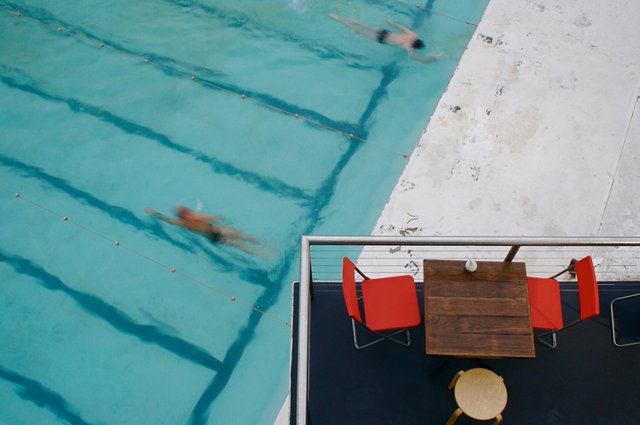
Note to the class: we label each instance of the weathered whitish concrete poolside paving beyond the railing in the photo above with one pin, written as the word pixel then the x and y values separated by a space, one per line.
pixel 546 140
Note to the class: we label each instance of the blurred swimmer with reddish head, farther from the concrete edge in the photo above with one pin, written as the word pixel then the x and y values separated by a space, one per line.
pixel 204 225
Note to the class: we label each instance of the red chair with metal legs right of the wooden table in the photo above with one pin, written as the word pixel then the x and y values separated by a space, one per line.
pixel 546 306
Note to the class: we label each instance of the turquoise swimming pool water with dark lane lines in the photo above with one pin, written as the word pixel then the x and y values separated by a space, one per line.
pixel 267 113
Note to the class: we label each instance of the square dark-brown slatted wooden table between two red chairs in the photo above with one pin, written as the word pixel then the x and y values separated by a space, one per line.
pixel 482 314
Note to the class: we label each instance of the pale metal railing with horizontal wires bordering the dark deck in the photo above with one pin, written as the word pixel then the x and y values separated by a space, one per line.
pixel 615 259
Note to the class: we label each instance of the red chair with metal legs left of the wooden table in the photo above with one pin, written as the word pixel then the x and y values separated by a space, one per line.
pixel 389 304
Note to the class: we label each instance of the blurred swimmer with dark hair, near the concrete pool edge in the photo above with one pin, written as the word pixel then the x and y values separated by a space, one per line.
pixel 406 39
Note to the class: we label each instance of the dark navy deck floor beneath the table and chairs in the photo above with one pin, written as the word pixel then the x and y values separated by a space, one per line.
pixel 586 380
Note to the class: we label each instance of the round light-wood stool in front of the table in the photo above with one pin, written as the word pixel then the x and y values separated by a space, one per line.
pixel 480 394
